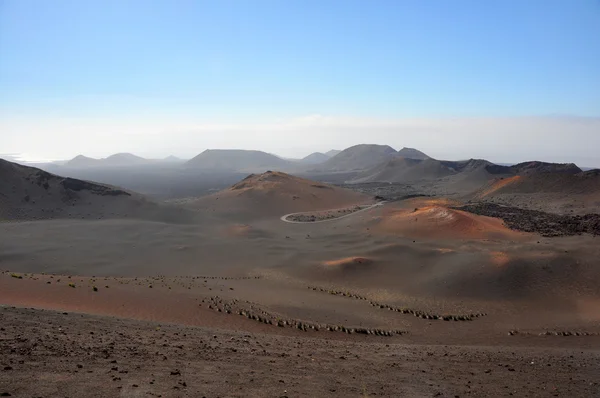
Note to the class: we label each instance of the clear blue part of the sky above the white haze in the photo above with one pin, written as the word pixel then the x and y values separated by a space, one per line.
pixel 129 62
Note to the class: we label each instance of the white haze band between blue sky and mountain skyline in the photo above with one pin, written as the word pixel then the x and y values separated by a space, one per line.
pixel 509 139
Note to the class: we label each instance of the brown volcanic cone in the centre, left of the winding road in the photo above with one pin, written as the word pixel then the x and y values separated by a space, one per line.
pixel 273 194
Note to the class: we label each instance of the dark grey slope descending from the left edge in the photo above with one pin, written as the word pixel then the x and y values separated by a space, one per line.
pixel 28 193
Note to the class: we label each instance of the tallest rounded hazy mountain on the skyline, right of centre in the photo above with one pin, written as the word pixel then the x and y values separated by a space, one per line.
pixel 358 157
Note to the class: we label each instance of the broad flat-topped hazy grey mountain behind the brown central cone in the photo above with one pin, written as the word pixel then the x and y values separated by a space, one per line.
pixel 237 160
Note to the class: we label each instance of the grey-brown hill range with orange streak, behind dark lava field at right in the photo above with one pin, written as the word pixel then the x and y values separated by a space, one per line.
pixel 550 187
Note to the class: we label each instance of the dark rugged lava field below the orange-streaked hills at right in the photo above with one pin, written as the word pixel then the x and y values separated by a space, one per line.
pixel 546 224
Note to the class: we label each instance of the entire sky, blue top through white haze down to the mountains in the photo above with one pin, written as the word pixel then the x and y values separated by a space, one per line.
pixel 503 80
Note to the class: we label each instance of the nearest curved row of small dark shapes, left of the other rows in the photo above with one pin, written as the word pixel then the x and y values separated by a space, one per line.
pixel 231 307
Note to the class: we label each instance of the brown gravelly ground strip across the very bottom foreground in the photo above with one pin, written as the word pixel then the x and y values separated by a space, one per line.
pixel 48 354
